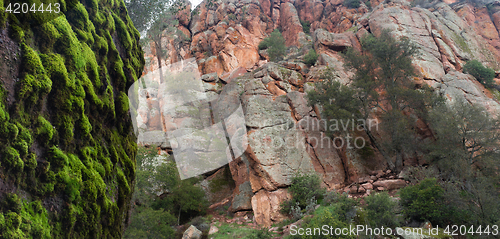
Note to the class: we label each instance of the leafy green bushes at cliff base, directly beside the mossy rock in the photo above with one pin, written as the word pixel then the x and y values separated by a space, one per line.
pixel 160 193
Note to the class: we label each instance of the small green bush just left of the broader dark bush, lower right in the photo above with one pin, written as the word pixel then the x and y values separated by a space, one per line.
pixel 381 210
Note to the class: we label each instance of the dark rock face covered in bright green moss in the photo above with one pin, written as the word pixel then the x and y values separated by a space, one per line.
pixel 67 154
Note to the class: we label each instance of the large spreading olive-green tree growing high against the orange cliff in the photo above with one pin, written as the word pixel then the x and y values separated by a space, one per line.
pixel 383 66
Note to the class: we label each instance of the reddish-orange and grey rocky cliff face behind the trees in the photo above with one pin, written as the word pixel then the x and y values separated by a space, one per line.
pixel 223 37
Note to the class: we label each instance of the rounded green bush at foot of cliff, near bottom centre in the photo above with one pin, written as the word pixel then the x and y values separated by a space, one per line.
pixel 303 188
